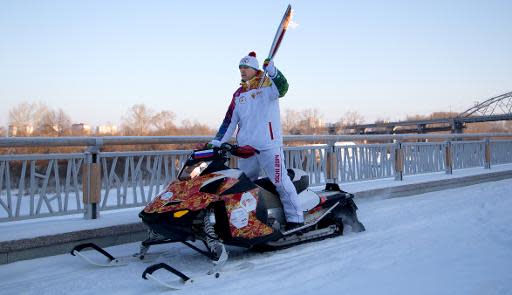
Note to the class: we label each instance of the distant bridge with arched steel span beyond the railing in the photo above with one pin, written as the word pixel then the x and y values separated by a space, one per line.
pixel 498 108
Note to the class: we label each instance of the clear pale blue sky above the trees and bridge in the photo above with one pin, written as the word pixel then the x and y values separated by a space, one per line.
pixel 382 59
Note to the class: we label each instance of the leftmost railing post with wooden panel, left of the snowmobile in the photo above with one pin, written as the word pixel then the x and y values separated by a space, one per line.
pixel 91 183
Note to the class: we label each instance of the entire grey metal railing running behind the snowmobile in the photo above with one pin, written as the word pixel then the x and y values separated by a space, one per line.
pixel 39 185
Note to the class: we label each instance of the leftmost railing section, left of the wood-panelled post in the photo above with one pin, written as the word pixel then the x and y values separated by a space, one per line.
pixel 41 185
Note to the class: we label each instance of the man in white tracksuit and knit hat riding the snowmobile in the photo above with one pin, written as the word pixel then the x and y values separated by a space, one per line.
pixel 255 110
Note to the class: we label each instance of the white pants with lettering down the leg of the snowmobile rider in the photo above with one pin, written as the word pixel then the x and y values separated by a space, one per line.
pixel 272 162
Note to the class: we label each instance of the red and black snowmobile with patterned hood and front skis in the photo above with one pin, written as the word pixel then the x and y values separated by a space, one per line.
pixel 219 206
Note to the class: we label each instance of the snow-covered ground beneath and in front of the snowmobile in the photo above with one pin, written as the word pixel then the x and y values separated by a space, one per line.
pixel 455 241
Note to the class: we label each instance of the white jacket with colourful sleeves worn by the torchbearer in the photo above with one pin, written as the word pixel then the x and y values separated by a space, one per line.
pixel 256 113
